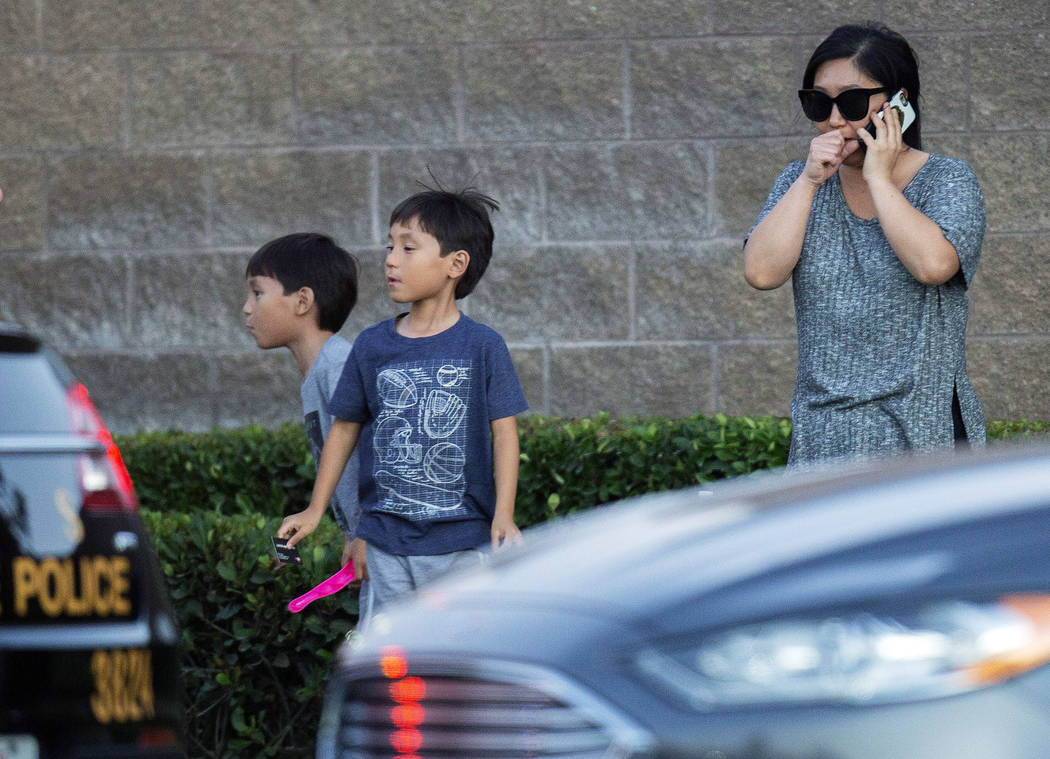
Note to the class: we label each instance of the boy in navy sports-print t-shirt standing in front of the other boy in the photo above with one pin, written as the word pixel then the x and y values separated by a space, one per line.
pixel 432 397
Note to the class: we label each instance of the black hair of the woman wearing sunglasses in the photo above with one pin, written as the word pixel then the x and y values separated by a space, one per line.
pixel 881 54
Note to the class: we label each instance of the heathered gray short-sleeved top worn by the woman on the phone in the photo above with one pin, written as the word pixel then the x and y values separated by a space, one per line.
pixel 880 354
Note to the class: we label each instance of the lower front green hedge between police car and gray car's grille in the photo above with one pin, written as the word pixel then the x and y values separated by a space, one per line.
pixel 255 673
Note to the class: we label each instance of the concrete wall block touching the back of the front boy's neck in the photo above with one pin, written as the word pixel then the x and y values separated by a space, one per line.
pixel 557 293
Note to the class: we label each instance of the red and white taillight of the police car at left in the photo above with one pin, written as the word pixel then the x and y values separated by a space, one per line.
pixel 104 479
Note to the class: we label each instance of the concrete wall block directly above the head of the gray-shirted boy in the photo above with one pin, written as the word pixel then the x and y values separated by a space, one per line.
pixel 261 196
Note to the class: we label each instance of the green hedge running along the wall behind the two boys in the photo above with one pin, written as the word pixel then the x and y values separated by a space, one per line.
pixel 566 465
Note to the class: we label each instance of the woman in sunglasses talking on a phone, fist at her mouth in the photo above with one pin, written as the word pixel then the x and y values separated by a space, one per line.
pixel 881 242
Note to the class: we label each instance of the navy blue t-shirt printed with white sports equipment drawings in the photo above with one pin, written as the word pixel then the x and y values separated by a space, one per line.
pixel 426 405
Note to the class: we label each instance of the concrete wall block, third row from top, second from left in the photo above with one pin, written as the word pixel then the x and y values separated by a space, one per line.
pixel 123 201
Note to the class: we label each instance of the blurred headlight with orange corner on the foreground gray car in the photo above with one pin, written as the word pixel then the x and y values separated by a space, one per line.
pixel 859 658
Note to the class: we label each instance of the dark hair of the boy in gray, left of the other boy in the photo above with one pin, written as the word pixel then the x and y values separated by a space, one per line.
pixel 310 260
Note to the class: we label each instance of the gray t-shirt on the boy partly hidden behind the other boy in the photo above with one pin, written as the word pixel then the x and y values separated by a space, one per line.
pixel 317 392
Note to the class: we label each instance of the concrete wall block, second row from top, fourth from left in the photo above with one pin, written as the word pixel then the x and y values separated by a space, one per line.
pixel 544 93
